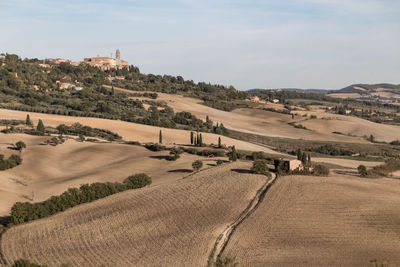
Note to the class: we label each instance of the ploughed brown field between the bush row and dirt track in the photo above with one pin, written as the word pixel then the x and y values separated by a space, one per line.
pixel 174 224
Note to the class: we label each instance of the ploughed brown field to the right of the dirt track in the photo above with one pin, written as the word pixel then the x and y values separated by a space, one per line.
pixel 322 221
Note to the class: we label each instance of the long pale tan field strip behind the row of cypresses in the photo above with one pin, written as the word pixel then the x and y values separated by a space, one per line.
pixel 132 131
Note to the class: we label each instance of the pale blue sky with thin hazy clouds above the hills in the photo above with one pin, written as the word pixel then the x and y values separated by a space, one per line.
pixel 323 44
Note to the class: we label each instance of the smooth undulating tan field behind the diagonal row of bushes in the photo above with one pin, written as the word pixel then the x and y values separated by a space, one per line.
pixel 47 170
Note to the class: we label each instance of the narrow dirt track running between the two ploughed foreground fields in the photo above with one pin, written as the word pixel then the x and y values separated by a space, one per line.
pixel 225 236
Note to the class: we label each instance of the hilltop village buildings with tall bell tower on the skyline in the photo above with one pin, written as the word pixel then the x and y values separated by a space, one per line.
pixel 104 63
